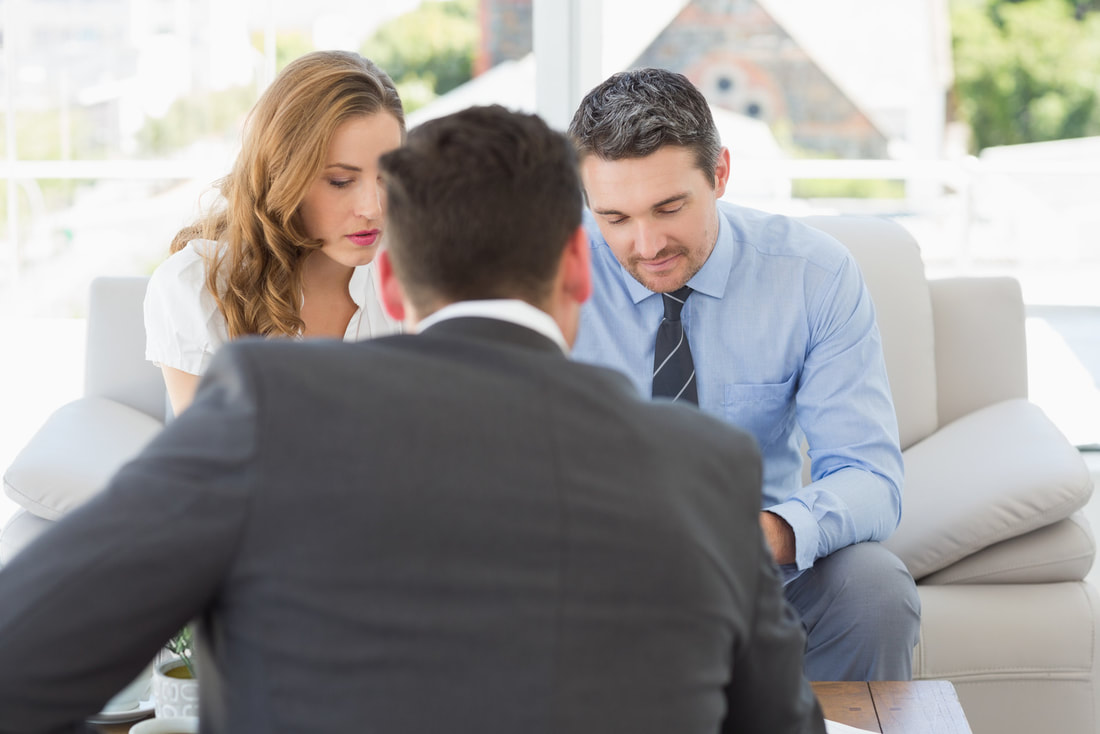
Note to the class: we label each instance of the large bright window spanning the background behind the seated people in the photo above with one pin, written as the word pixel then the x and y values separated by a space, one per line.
pixel 120 115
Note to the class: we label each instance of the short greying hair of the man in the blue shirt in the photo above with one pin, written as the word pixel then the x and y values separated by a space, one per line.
pixel 637 113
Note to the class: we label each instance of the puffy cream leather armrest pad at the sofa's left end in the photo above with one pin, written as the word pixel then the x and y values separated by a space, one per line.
pixel 74 455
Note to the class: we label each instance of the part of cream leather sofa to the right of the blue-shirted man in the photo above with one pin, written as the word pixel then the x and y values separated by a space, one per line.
pixel 991 528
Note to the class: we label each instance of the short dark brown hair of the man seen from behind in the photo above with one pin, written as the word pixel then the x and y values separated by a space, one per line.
pixel 480 205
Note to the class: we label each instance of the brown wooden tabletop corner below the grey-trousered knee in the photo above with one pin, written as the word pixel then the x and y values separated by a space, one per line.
pixel 921 707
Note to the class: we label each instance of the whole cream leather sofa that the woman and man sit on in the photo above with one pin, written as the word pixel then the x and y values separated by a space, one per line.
pixel 989 529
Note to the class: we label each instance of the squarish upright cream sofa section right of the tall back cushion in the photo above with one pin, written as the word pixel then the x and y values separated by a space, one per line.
pixel 982 348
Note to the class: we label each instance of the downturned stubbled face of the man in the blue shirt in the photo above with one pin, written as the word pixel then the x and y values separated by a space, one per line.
pixel 658 213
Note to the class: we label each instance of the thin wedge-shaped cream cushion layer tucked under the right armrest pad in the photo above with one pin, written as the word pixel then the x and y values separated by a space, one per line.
pixel 1061 552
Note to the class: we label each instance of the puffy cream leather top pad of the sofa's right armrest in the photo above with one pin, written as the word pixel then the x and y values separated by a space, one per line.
pixel 999 473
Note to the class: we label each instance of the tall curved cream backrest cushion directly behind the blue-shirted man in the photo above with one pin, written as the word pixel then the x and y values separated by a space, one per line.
pixel 890 261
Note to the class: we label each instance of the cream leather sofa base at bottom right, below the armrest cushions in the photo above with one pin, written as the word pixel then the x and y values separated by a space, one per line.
pixel 1024 658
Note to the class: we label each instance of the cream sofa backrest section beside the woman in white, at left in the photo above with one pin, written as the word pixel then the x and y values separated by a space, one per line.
pixel 115 365
